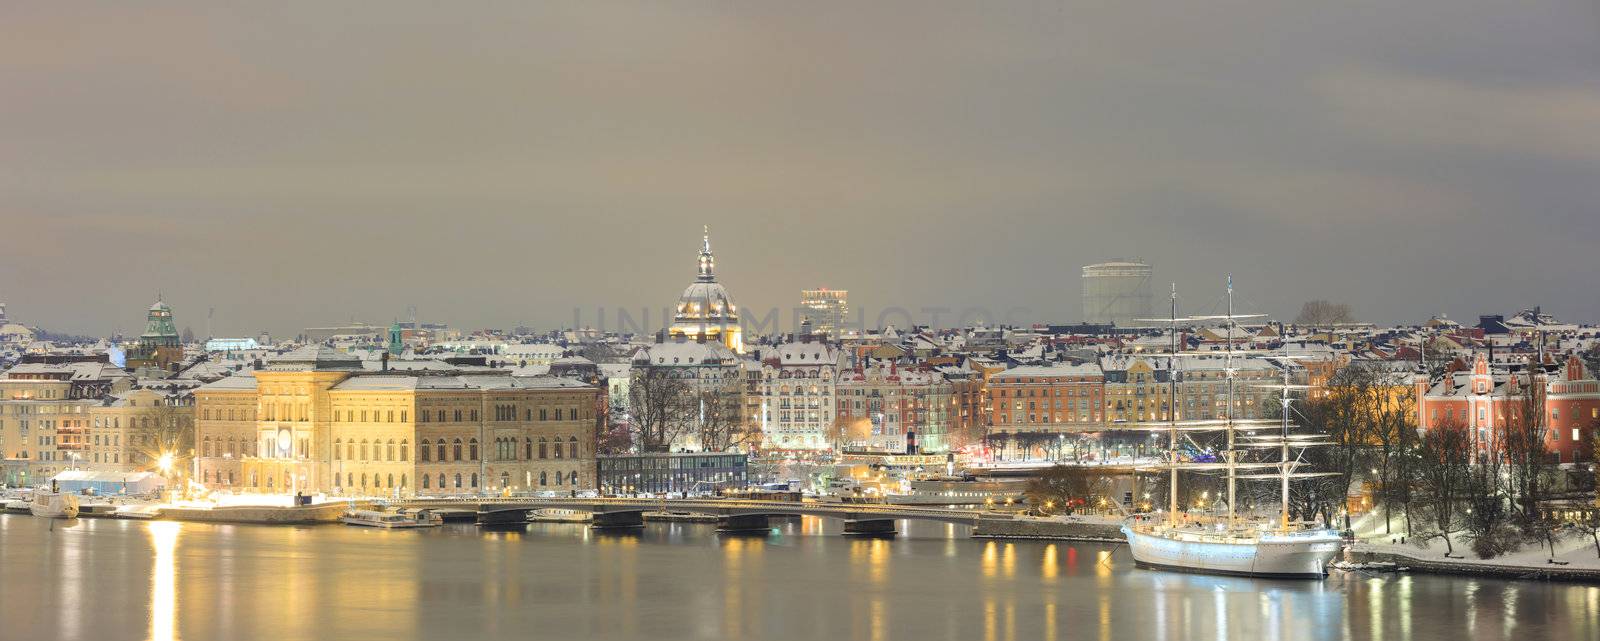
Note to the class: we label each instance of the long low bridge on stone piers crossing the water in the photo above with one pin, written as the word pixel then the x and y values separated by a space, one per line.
pixel 735 516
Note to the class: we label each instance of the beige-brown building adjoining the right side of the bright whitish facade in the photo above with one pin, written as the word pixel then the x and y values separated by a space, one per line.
pixel 890 410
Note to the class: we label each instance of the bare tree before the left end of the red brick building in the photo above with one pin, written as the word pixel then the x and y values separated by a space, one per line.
pixel 1444 472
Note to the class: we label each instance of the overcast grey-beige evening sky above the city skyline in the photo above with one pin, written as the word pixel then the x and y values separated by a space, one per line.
pixel 300 164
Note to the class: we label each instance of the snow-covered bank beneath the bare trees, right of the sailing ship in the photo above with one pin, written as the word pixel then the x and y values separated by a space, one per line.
pixel 1575 551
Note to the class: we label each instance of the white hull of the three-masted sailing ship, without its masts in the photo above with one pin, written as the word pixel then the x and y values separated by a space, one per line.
pixel 1302 555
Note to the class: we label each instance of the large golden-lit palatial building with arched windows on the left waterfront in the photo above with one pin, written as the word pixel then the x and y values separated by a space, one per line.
pixel 319 421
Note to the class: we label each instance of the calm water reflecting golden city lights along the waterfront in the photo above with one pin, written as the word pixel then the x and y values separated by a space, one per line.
pixel 98 579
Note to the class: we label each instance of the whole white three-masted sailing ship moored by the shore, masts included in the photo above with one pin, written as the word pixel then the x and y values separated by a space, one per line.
pixel 1241 546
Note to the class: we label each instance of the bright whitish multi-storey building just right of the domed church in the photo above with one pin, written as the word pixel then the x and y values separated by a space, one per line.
pixel 798 396
